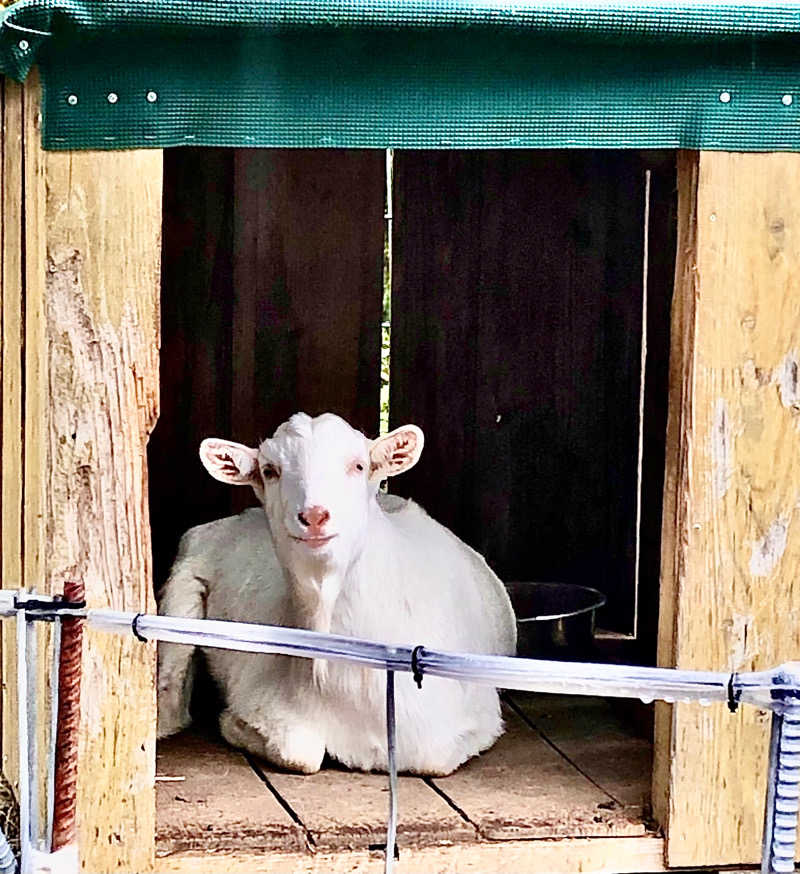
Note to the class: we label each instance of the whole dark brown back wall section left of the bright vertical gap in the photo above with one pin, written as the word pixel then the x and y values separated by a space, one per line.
pixel 272 288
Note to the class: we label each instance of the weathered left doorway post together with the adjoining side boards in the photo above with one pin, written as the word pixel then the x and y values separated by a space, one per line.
pixel 80 381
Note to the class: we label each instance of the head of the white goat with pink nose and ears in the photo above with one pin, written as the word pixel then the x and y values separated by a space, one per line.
pixel 317 479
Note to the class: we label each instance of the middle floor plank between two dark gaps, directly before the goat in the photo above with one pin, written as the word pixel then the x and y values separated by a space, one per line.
pixel 347 809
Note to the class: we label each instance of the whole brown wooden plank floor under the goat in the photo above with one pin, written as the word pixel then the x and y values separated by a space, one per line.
pixel 566 767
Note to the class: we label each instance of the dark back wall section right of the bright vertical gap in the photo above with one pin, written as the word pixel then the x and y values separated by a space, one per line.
pixel 516 330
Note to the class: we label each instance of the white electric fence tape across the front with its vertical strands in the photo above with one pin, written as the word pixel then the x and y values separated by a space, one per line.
pixel 777 690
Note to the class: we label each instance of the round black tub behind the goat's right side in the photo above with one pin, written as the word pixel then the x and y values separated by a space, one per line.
pixel 555 620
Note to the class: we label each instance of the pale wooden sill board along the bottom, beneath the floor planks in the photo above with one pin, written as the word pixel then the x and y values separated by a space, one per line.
pixel 598 855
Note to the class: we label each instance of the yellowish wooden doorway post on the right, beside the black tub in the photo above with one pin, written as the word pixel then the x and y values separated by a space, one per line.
pixel 730 587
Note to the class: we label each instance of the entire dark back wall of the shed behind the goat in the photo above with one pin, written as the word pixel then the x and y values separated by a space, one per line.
pixel 517 312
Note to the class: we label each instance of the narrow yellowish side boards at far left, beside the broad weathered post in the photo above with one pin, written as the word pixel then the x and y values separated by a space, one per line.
pixel 24 368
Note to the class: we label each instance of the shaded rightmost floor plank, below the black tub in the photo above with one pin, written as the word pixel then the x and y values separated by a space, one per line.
pixel 598 741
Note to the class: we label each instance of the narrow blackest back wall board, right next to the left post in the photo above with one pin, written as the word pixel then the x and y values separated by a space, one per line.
pixel 195 372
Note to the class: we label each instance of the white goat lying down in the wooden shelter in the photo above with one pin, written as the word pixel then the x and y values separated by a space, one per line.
pixel 332 554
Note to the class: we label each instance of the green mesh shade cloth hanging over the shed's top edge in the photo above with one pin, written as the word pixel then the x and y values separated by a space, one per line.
pixel 410 73
